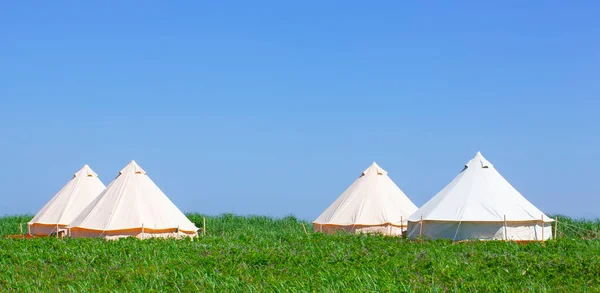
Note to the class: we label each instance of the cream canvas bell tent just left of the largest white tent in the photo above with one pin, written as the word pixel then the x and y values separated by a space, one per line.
pixel 372 204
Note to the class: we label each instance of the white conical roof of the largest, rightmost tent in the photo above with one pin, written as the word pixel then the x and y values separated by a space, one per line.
pixel 479 194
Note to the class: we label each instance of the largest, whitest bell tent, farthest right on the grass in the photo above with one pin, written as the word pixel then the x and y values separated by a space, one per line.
pixel 480 204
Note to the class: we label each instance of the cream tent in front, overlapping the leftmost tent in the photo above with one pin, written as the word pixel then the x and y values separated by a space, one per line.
pixel 132 205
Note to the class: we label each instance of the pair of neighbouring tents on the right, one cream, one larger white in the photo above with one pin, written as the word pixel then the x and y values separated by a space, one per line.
pixel 478 204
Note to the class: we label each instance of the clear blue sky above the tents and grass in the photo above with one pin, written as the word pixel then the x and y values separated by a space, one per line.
pixel 276 107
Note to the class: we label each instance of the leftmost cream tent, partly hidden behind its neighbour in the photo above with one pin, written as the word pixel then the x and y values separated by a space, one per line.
pixel 67 203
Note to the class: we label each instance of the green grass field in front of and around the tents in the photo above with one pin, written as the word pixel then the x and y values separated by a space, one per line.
pixel 258 254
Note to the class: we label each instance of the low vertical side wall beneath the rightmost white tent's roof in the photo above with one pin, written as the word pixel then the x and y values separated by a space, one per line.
pixel 515 231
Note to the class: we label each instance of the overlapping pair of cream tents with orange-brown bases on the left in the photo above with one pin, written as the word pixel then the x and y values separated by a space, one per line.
pixel 131 205
